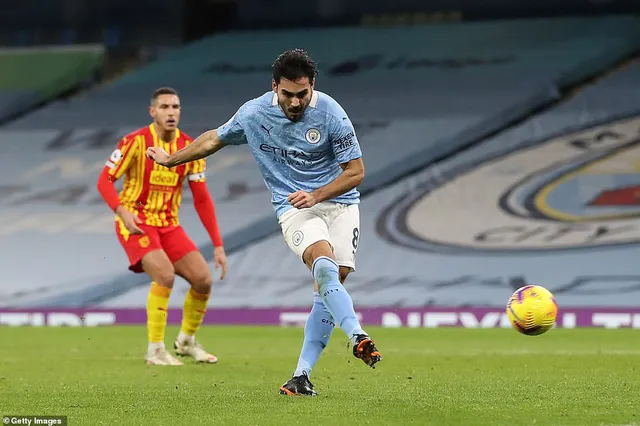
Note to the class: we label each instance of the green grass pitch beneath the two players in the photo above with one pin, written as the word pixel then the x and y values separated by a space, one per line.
pixel 427 377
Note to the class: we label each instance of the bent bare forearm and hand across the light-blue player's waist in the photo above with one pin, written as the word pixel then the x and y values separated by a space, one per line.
pixel 351 176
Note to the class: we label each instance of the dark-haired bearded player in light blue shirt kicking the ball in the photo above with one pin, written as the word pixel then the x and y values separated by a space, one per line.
pixel 310 159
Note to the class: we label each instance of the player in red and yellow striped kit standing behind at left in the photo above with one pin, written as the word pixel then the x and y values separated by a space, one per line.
pixel 149 230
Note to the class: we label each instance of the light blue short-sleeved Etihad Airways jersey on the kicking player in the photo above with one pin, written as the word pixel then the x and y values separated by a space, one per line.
pixel 303 155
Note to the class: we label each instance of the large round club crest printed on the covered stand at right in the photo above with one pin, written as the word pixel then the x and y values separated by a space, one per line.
pixel 576 191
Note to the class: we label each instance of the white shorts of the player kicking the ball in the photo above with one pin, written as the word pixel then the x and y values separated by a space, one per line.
pixel 339 224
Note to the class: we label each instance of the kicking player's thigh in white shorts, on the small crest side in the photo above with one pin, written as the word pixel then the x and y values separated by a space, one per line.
pixel 302 229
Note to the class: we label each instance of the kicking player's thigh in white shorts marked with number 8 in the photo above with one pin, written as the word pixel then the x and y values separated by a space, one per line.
pixel 344 234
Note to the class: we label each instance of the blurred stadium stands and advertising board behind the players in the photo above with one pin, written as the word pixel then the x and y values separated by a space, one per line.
pixel 500 139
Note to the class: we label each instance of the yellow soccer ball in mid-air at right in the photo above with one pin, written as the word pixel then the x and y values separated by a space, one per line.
pixel 532 310
